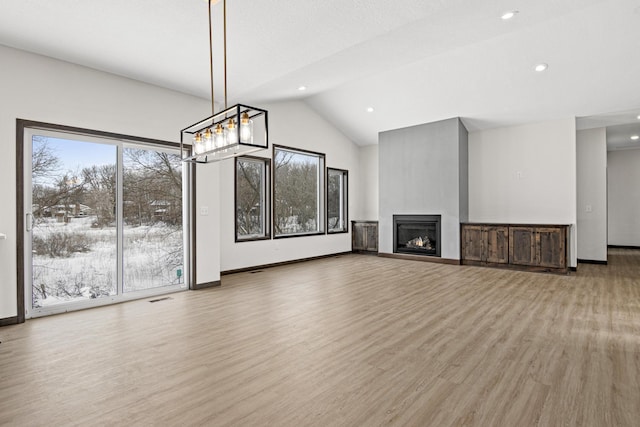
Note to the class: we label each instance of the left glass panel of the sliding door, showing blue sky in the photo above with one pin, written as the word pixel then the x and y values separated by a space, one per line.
pixel 74 227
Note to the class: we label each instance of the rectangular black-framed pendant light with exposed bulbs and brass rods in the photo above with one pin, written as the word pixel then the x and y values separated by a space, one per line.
pixel 232 132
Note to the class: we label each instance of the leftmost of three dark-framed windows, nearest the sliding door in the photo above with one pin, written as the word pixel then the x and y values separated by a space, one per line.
pixel 252 210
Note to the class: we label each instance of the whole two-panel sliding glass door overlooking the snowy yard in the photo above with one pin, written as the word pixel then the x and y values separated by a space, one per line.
pixel 104 221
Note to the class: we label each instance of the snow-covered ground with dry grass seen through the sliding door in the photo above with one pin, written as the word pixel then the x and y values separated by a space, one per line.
pixel 74 261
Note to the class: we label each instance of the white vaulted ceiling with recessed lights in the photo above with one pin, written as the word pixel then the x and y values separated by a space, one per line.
pixel 413 61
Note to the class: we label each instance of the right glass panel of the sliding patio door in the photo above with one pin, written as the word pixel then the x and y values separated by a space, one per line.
pixel 153 250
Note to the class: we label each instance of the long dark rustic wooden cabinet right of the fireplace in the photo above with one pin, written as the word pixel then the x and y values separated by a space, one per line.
pixel 525 246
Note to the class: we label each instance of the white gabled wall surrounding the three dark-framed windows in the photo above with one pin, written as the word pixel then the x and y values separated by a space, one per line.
pixel 292 124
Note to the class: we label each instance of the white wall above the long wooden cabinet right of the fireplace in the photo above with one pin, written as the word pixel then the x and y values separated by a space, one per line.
pixel 525 174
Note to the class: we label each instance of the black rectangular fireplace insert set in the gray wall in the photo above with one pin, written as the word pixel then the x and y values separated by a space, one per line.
pixel 416 234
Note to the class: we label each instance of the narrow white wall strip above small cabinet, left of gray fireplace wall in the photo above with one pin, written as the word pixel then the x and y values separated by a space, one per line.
pixel 367 197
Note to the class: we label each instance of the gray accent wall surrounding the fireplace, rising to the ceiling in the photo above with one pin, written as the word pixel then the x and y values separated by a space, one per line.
pixel 423 170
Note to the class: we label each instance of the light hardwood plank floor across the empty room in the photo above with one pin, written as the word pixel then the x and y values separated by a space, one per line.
pixel 353 340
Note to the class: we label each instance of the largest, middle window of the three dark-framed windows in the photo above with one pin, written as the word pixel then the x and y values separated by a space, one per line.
pixel 298 192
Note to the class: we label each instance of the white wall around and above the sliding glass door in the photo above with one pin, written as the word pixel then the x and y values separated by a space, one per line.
pixel 38 88
